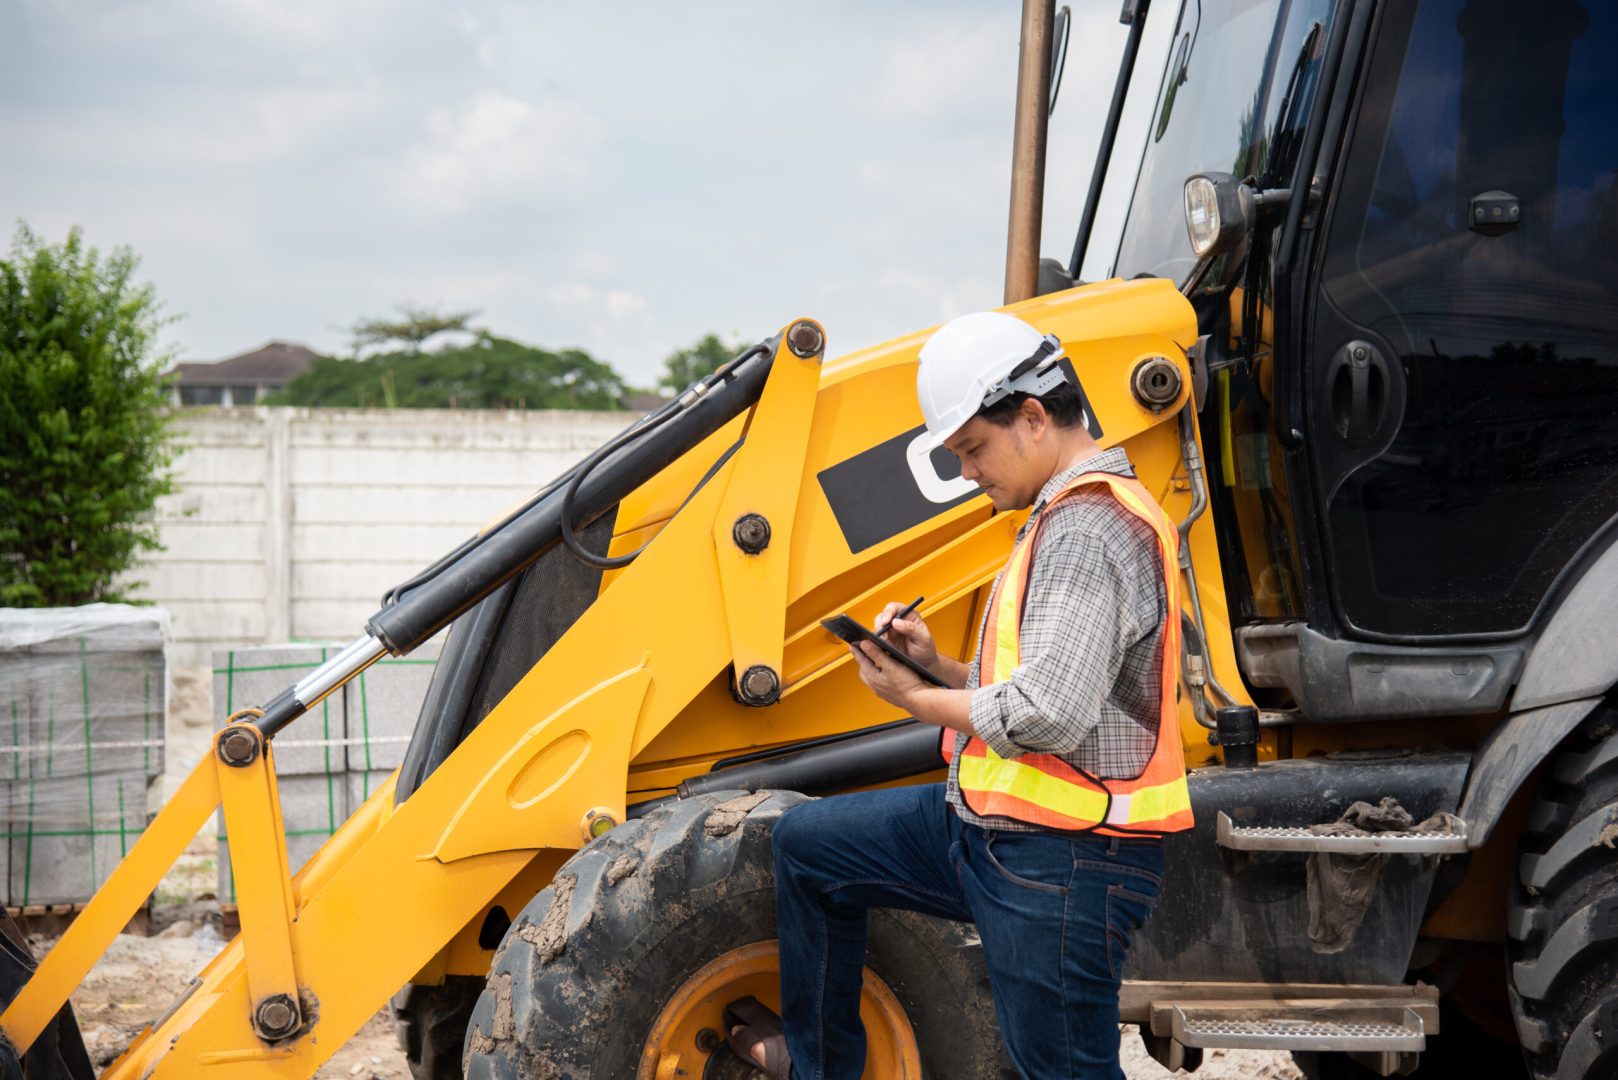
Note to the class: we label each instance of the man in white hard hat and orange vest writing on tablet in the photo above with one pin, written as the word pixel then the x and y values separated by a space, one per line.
pixel 1064 749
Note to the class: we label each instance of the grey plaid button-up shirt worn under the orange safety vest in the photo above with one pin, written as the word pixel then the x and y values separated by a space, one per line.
pixel 1088 689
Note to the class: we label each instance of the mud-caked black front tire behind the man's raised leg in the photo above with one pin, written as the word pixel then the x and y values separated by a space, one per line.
pixel 590 966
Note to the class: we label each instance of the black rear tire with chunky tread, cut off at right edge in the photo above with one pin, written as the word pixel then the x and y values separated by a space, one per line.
pixel 1564 912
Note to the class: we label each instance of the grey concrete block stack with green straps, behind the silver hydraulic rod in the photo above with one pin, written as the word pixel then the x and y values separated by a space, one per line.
pixel 331 760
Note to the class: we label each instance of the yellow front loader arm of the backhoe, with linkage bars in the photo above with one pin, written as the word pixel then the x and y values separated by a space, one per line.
pixel 661 658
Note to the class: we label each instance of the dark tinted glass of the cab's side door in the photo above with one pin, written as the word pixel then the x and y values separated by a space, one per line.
pixel 1506 462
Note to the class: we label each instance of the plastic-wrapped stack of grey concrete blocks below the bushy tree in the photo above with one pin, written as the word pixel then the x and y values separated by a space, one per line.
pixel 83 694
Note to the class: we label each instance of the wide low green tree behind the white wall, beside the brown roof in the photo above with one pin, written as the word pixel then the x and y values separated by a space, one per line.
pixel 489 373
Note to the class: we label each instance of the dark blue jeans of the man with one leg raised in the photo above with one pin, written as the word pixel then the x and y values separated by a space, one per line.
pixel 1056 916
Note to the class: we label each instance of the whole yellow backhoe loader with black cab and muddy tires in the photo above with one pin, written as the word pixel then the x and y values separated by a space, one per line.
pixel 1360 339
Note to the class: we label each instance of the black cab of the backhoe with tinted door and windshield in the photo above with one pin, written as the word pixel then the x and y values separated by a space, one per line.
pixel 1413 373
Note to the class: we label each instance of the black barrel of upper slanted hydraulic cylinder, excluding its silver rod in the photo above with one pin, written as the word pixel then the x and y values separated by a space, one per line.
pixel 515 545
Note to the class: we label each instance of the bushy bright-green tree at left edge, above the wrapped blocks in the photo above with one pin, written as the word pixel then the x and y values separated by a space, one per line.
pixel 85 448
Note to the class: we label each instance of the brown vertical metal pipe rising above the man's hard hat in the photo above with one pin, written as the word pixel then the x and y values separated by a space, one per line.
pixel 1028 151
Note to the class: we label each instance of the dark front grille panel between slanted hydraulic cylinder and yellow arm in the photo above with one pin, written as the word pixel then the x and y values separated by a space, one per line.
pixel 551 597
